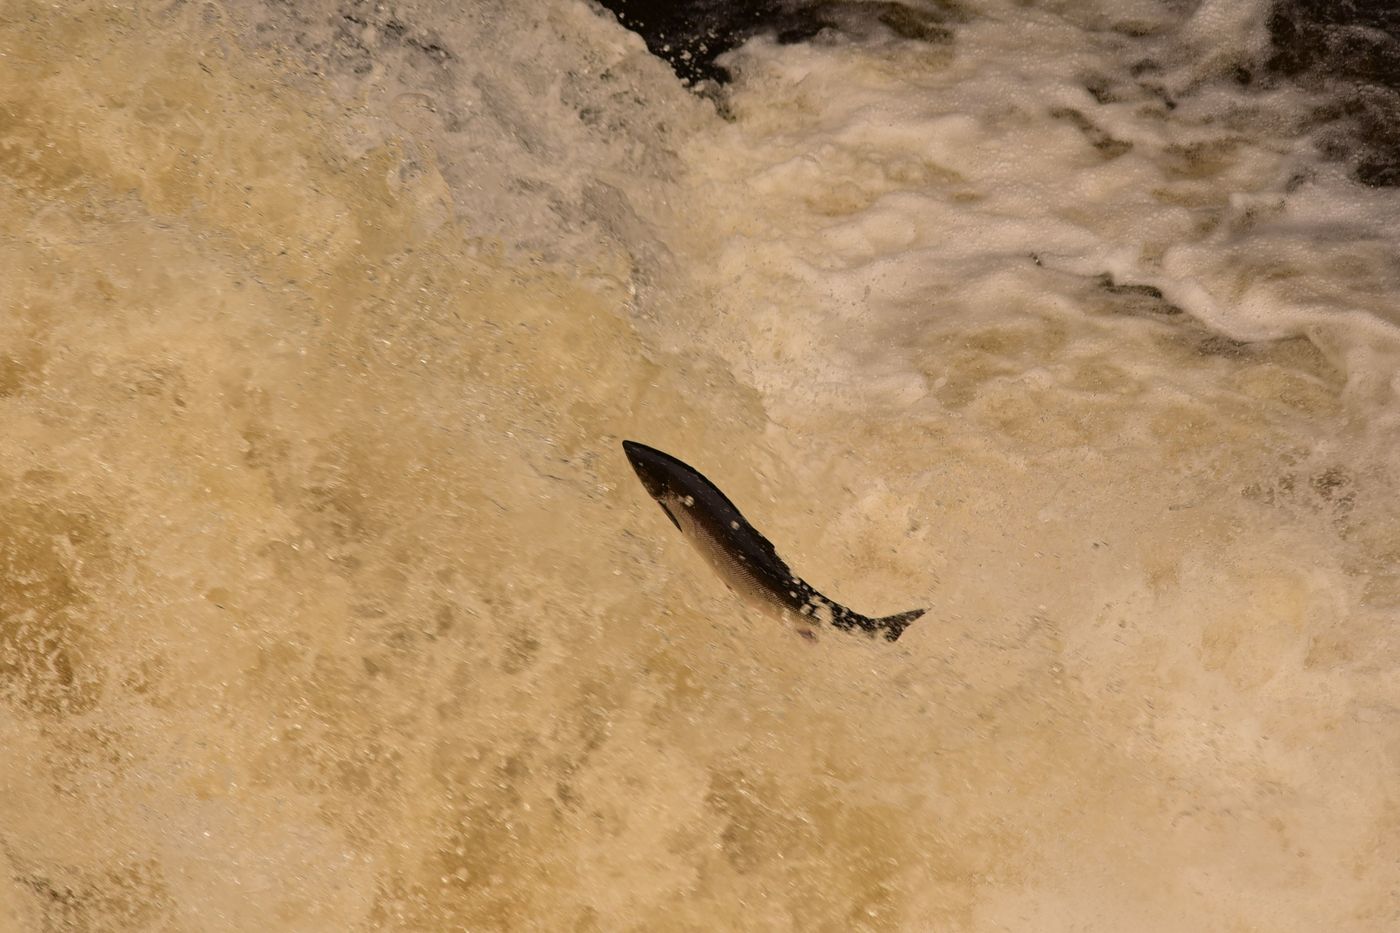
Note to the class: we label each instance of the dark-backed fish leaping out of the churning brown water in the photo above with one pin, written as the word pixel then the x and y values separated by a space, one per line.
pixel 743 557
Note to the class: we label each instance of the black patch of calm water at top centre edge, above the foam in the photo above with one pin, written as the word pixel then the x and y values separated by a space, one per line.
pixel 692 34
